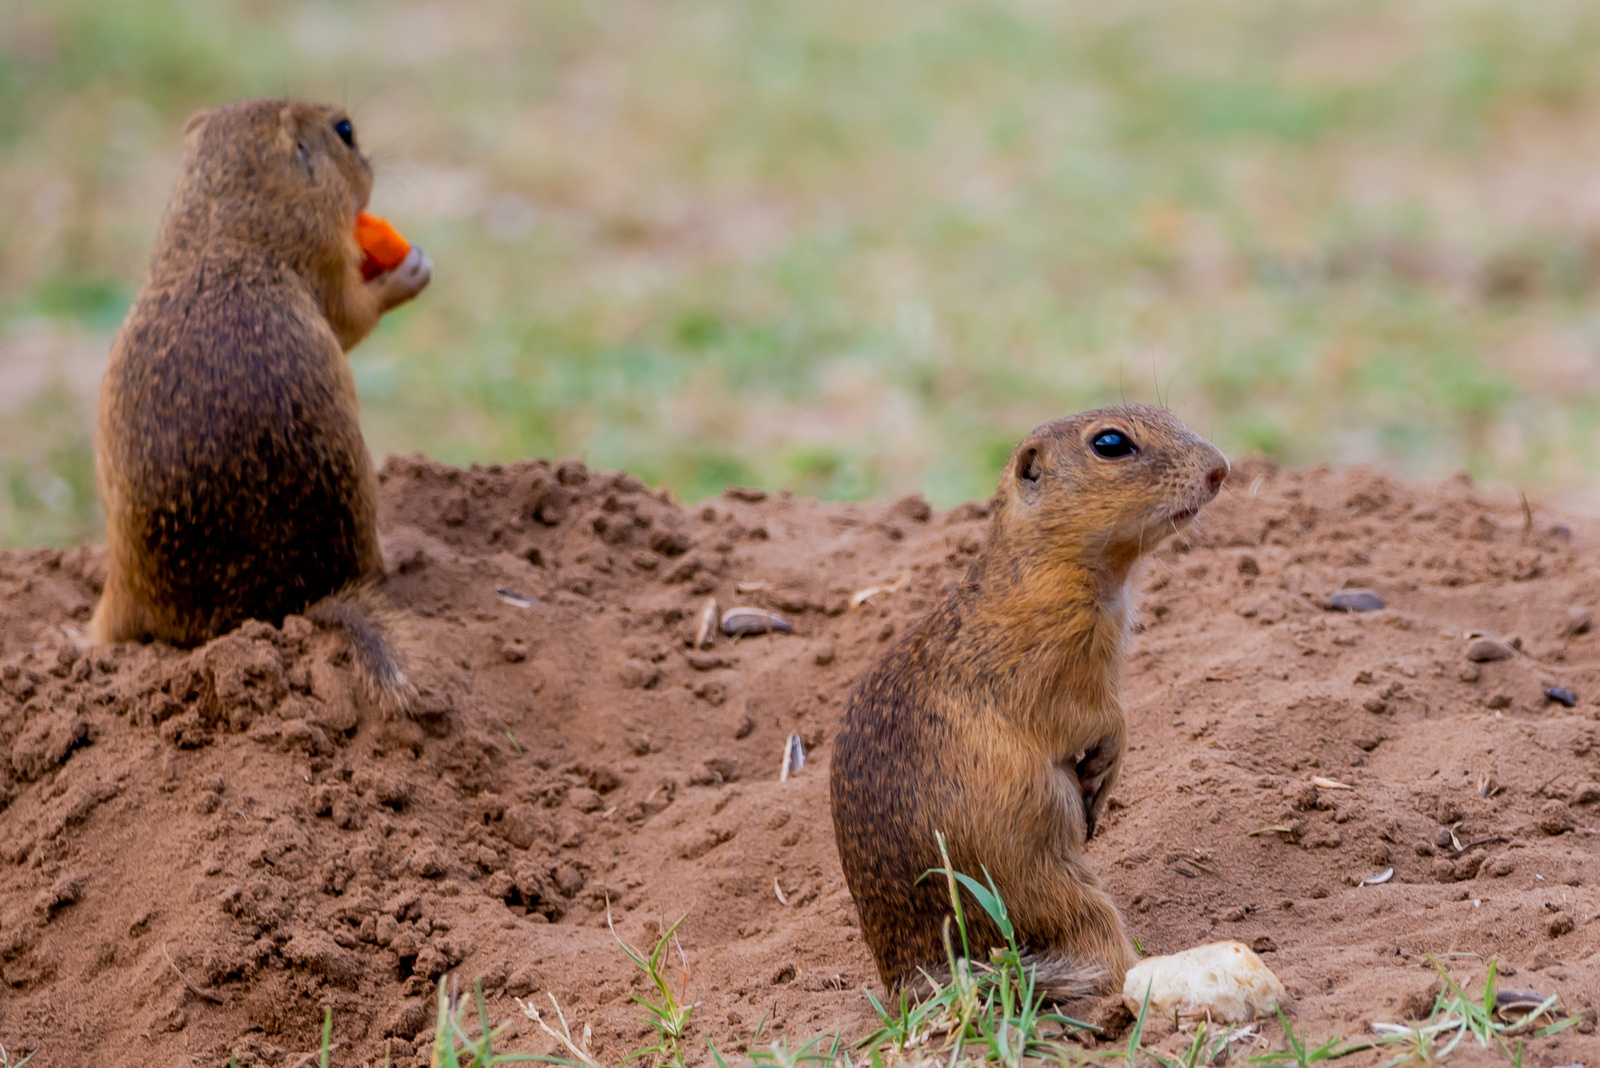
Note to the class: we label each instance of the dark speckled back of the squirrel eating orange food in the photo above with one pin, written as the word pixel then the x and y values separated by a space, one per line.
pixel 246 487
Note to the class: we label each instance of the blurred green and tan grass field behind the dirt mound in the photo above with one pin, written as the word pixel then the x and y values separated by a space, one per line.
pixel 860 249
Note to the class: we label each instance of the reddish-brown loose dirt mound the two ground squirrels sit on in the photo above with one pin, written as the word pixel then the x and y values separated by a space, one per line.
pixel 202 850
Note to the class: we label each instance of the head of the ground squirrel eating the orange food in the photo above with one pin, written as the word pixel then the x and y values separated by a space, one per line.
pixel 286 173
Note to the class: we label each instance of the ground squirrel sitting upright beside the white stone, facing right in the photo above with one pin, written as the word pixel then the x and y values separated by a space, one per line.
pixel 998 719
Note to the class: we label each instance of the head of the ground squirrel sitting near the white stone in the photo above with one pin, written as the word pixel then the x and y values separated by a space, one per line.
pixel 1105 487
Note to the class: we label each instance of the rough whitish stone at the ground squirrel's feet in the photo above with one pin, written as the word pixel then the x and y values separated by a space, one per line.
pixel 1223 981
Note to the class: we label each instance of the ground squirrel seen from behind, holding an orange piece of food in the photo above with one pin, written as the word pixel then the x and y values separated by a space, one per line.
pixel 230 455
